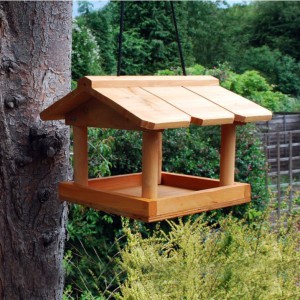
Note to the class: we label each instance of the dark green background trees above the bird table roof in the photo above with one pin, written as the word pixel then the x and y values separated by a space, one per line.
pixel 258 36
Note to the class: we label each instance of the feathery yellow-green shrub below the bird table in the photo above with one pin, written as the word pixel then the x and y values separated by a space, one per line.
pixel 195 260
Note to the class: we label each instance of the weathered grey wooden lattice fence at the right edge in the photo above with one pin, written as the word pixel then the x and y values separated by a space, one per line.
pixel 281 143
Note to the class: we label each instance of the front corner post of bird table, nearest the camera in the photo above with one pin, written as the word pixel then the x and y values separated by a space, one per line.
pixel 150 177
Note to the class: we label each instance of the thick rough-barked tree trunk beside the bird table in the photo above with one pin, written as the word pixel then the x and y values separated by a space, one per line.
pixel 35 46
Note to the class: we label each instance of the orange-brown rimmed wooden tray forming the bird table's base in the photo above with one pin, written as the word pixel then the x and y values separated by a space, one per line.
pixel 120 195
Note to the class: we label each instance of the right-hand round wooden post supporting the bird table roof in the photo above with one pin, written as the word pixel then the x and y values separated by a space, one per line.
pixel 227 163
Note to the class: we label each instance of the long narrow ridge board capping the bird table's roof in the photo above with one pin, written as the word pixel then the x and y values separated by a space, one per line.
pixel 136 81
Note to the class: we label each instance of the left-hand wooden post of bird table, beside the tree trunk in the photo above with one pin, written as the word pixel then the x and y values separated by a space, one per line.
pixel 80 155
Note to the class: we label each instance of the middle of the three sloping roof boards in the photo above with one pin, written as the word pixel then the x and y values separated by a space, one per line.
pixel 201 110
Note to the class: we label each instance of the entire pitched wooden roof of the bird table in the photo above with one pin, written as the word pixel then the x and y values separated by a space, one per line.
pixel 153 103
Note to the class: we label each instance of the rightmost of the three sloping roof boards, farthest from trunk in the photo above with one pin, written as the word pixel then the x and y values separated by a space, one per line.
pixel 243 109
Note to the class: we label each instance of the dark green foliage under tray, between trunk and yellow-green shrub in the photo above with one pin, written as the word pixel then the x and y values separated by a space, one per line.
pixel 90 267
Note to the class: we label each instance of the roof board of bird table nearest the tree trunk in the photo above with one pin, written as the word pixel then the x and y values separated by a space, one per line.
pixel 140 106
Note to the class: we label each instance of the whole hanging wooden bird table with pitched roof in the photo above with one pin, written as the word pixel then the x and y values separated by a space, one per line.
pixel 151 104
